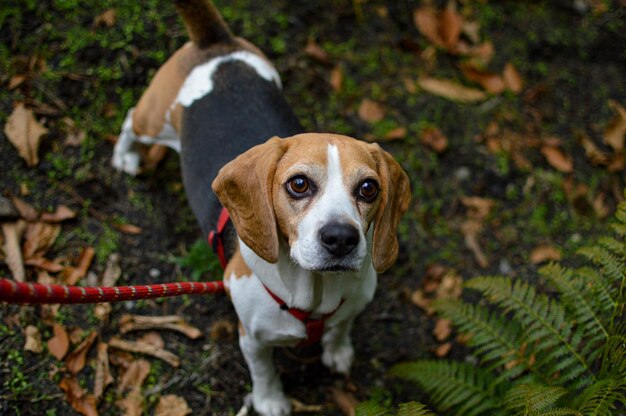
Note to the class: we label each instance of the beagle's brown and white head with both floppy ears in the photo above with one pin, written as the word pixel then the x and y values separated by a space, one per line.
pixel 320 194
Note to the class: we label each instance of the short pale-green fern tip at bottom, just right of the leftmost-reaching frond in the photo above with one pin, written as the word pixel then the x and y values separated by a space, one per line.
pixel 532 398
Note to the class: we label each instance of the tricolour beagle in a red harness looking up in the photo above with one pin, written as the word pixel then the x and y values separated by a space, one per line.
pixel 313 216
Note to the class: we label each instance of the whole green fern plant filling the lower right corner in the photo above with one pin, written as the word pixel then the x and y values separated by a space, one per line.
pixel 539 354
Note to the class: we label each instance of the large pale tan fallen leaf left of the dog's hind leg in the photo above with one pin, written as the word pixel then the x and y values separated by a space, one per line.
pixel 25 133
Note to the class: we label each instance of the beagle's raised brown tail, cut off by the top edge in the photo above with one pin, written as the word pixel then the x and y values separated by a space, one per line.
pixel 204 23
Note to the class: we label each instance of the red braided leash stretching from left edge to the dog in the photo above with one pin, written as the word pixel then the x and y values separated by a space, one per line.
pixel 16 292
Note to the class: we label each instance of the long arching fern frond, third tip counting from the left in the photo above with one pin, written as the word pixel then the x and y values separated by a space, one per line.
pixel 545 326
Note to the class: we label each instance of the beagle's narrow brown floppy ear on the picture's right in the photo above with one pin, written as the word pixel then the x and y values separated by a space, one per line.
pixel 396 195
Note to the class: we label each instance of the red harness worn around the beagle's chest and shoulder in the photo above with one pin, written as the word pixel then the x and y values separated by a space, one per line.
pixel 314 327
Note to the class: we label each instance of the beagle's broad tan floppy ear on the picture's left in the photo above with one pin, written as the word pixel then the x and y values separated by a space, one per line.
pixel 244 187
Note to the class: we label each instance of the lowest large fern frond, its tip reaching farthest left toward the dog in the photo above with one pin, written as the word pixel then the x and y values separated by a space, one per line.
pixel 467 389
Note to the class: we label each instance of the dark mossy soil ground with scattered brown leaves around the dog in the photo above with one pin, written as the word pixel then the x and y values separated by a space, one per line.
pixel 524 153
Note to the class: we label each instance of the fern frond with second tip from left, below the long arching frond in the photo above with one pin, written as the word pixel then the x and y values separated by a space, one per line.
pixel 495 338
